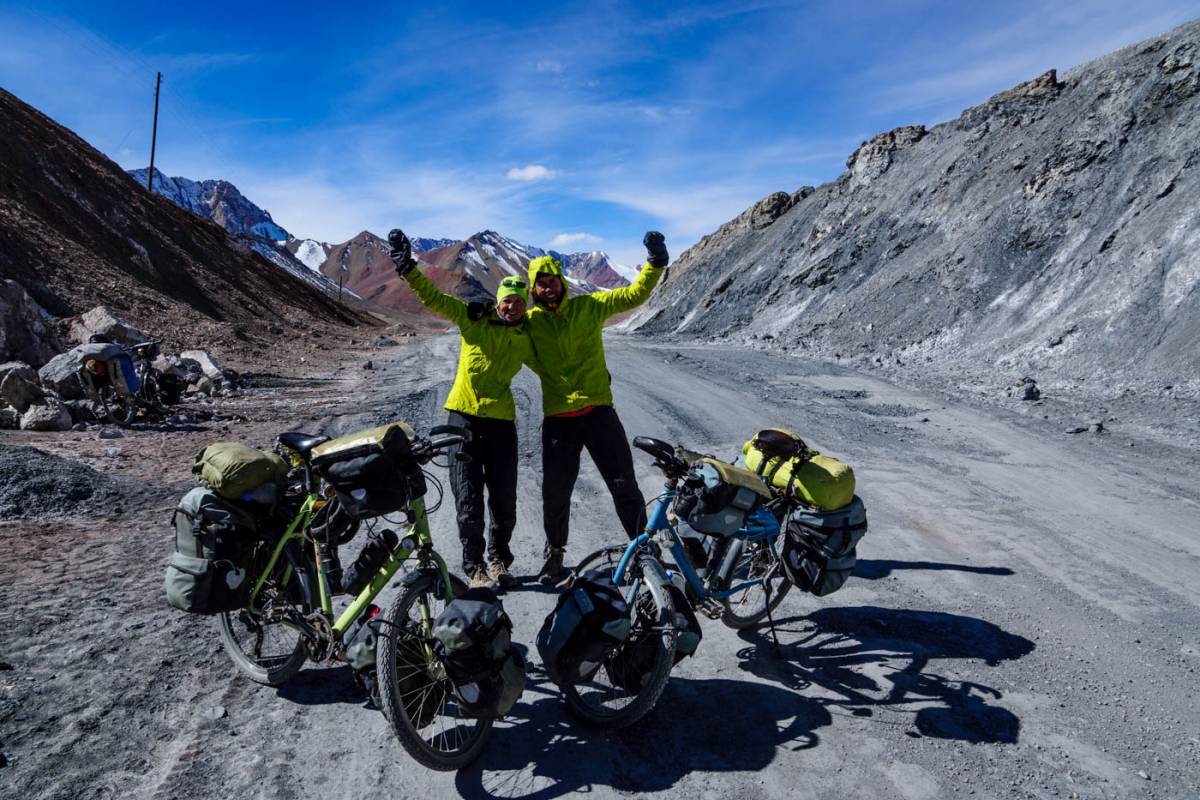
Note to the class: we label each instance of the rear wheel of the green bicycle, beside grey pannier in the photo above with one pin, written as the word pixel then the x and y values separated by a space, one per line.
pixel 265 646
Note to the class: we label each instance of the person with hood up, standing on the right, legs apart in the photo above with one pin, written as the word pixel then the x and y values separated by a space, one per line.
pixel 577 395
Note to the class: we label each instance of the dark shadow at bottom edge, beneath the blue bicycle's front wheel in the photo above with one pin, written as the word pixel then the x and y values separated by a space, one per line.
pixel 547 754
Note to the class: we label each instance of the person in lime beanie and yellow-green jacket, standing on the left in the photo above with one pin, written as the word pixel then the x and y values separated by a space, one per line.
pixel 495 346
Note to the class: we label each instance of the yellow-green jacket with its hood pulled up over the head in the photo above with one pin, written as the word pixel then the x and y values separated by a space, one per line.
pixel 568 344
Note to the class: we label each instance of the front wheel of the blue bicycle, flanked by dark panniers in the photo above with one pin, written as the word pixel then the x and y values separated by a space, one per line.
pixel 631 682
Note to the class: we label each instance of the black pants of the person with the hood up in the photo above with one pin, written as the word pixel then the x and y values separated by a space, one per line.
pixel 563 438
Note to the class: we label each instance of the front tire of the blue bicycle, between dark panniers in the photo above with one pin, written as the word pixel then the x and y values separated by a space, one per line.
pixel 587 702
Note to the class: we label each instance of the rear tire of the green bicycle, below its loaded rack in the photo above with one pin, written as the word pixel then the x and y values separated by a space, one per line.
pixel 289 658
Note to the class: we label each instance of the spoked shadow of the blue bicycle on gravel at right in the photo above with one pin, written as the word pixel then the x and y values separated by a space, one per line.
pixel 868 658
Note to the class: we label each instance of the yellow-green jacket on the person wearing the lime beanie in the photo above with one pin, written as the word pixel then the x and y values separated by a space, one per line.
pixel 493 353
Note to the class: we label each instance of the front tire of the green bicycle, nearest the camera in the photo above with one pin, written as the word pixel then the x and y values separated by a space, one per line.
pixel 412 700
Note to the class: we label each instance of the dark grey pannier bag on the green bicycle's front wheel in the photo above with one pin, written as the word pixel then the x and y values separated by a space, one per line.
pixel 472 639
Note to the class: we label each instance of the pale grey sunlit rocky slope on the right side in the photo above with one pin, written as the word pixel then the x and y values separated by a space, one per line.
pixel 1052 228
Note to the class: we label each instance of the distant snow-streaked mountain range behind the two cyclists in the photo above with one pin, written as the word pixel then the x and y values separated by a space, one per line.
pixel 470 269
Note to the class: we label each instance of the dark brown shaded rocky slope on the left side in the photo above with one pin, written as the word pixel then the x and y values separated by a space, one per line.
pixel 77 232
